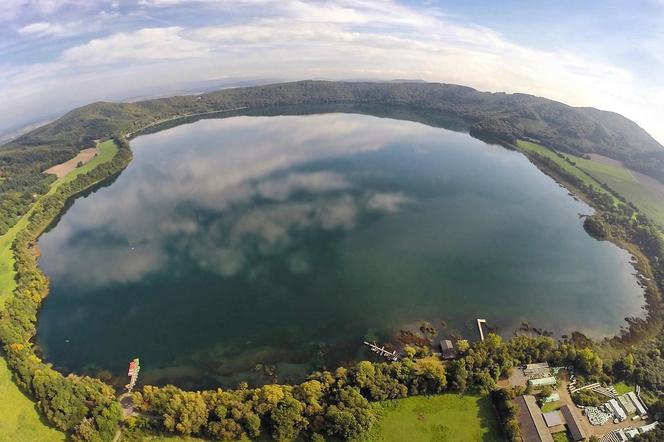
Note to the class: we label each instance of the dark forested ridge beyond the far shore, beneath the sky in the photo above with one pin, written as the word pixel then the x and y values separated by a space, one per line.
pixel 497 116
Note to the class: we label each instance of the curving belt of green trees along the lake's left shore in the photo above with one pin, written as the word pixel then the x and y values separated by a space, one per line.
pixel 83 406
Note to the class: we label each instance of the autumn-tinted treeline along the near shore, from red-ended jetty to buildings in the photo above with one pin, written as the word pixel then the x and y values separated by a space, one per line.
pixel 336 404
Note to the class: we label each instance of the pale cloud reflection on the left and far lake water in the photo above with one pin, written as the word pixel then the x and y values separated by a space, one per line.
pixel 252 182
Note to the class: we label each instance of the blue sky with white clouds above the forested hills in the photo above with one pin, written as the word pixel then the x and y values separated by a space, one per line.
pixel 59 54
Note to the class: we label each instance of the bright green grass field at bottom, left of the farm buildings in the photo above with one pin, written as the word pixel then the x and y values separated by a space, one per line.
pixel 446 417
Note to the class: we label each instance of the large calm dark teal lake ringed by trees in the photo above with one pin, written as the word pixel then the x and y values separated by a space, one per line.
pixel 287 240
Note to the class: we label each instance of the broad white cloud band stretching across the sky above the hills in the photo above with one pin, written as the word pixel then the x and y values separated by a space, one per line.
pixel 292 39
